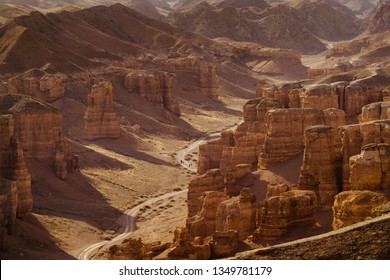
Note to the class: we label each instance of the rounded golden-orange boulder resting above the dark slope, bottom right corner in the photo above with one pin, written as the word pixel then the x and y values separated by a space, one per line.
pixel 351 207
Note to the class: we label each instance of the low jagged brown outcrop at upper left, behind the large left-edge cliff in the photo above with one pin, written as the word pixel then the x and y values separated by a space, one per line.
pixel 41 85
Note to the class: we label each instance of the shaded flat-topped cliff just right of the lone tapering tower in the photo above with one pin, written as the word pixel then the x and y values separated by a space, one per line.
pixel 154 86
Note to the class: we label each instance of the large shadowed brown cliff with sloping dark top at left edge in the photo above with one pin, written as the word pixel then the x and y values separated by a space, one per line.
pixel 38 127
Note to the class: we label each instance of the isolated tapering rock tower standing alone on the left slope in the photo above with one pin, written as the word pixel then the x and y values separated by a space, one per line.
pixel 100 119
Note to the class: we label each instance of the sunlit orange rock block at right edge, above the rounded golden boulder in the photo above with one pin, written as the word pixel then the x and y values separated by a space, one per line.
pixel 370 170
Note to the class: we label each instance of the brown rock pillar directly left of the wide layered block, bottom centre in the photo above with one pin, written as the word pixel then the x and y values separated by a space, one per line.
pixel 238 213
